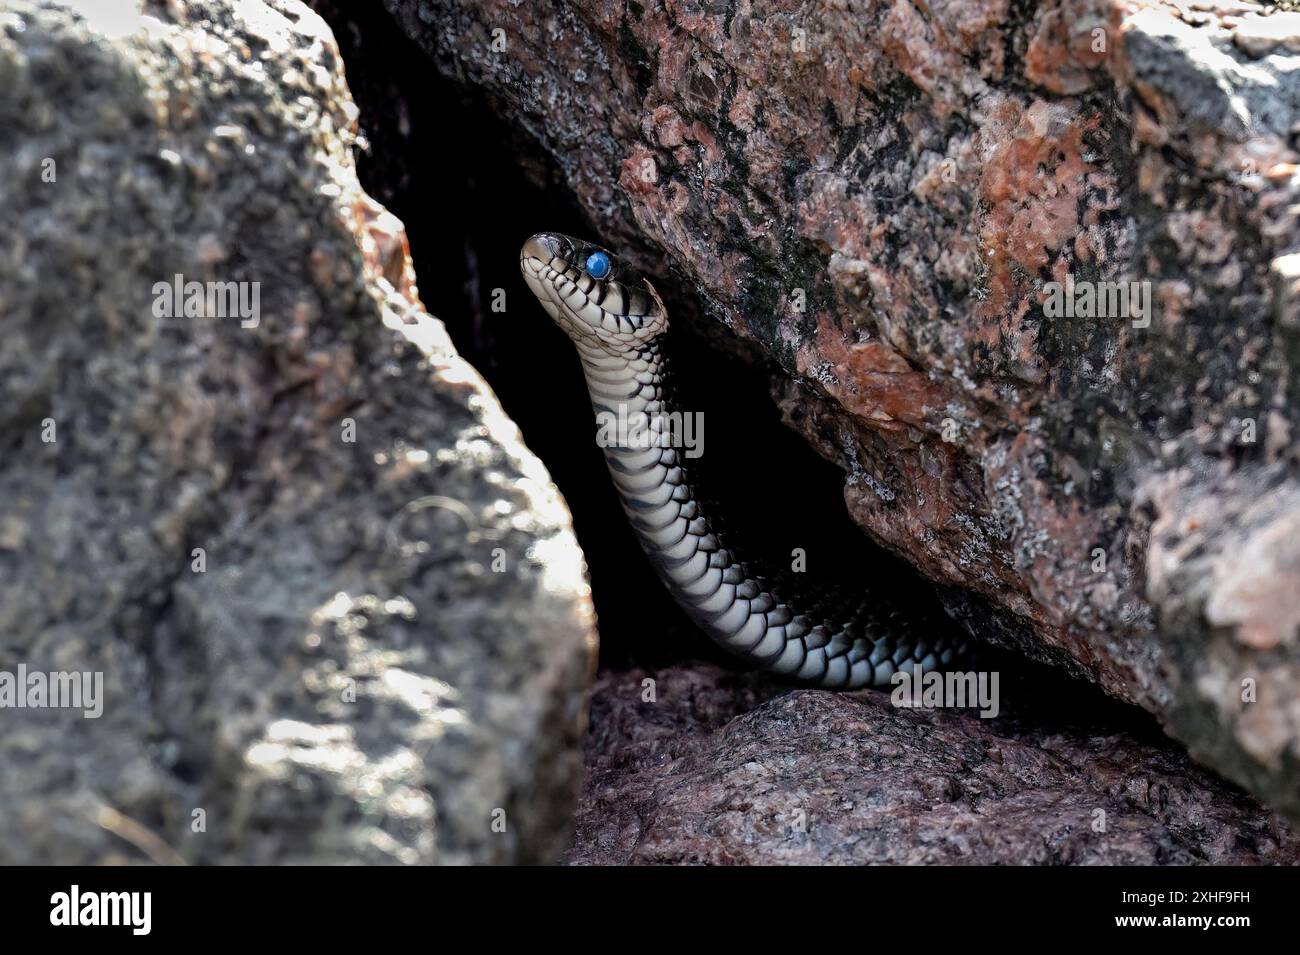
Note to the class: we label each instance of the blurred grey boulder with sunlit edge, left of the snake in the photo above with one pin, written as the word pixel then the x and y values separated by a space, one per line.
pixel 383 650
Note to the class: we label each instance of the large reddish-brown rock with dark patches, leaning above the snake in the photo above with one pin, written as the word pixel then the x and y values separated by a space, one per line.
pixel 881 194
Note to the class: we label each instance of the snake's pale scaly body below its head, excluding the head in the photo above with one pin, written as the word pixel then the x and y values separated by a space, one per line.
pixel 822 641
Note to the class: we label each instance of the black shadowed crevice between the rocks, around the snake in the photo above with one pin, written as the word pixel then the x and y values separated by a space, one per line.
pixel 471 190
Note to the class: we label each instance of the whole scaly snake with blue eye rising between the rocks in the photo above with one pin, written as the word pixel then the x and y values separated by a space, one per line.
pixel 821 635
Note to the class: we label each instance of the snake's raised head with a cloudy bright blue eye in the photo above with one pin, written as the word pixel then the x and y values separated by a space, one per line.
pixel 592 294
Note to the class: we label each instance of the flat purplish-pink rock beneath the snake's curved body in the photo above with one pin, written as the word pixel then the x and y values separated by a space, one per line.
pixel 727 769
